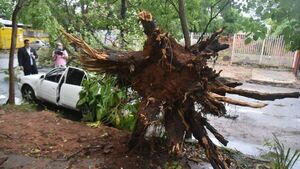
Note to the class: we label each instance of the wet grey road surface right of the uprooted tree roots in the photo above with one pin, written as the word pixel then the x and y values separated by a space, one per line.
pixel 253 127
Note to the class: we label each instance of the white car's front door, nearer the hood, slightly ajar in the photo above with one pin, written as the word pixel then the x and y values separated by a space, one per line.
pixel 47 89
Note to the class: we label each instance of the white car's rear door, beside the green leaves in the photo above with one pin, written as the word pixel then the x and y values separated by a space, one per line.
pixel 69 91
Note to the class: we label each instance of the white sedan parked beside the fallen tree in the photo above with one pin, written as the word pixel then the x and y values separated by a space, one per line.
pixel 60 86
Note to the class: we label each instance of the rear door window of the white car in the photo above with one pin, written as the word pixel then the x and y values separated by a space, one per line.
pixel 74 77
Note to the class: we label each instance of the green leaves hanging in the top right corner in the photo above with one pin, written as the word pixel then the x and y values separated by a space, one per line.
pixel 282 17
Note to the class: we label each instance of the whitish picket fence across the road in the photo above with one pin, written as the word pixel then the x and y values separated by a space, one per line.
pixel 269 52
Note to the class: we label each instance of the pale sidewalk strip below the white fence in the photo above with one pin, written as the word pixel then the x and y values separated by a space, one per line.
pixel 259 75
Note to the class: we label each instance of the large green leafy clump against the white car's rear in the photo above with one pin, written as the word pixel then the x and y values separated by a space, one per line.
pixel 102 100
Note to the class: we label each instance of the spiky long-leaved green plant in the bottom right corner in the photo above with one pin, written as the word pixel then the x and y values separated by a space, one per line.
pixel 279 156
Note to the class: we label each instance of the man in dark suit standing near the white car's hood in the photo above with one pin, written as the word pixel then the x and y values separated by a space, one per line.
pixel 26 58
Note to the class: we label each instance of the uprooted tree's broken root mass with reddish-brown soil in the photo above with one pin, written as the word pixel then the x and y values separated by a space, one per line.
pixel 176 85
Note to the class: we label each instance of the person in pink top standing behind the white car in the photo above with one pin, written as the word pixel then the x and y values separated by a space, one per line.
pixel 60 56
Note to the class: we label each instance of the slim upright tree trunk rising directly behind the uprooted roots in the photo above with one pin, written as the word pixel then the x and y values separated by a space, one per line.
pixel 184 24
